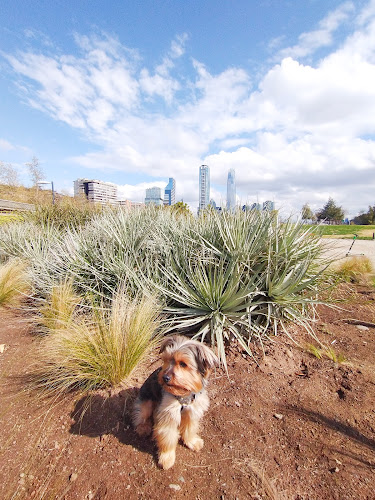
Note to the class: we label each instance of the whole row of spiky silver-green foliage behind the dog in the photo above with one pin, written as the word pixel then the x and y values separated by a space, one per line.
pixel 218 276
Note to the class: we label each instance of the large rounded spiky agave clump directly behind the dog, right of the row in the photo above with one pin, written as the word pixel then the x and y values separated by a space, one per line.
pixel 241 275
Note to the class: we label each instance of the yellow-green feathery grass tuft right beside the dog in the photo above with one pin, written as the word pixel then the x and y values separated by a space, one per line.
pixel 99 349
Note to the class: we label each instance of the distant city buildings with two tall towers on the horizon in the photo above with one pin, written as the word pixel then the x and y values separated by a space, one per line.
pixel 97 191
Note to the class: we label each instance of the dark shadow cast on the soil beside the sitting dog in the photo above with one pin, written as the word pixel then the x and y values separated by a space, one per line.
pixel 101 415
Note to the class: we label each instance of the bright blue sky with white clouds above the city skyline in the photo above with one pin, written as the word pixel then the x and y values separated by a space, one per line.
pixel 135 92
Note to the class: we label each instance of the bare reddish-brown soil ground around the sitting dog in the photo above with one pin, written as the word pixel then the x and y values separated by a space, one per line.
pixel 291 427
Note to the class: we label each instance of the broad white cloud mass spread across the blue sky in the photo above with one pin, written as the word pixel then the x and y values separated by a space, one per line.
pixel 304 133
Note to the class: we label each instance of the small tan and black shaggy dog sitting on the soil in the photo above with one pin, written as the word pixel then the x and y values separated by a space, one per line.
pixel 173 399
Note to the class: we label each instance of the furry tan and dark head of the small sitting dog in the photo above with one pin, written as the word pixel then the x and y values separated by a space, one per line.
pixel 186 365
